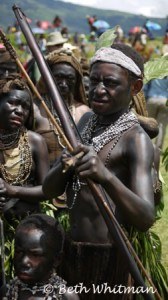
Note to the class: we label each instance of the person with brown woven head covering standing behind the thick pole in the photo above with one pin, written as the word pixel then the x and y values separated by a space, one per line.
pixel 68 76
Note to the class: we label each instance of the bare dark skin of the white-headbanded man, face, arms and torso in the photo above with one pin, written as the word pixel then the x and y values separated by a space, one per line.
pixel 127 177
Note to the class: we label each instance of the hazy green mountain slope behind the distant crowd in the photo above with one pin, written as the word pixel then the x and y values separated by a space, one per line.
pixel 72 15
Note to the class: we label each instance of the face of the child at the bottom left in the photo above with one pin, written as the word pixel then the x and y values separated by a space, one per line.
pixel 33 258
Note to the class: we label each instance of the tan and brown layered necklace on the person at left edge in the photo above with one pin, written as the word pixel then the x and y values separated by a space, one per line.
pixel 18 161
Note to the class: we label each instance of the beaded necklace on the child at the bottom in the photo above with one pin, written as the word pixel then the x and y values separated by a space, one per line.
pixel 50 290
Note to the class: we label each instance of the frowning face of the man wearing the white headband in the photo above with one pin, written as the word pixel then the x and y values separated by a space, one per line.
pixel 109 91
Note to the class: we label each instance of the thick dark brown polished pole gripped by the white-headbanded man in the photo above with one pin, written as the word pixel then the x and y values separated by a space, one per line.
pixel 63 115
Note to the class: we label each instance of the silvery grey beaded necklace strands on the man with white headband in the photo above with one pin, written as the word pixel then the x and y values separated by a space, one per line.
pixel 113 132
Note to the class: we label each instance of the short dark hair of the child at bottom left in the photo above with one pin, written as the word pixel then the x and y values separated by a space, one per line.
pixel 50 226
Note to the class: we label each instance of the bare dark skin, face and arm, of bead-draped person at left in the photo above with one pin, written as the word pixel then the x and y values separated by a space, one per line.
pixel 14 111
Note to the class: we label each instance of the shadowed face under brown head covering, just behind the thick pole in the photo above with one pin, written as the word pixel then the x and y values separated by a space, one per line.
pixel 66 78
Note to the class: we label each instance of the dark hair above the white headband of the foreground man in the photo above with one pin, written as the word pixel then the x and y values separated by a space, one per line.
pixel 131 53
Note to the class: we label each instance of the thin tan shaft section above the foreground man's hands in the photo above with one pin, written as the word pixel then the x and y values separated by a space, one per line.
pixel 13 54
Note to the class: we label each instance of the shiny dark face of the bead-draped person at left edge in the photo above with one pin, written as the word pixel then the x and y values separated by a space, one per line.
pixel 14 109
